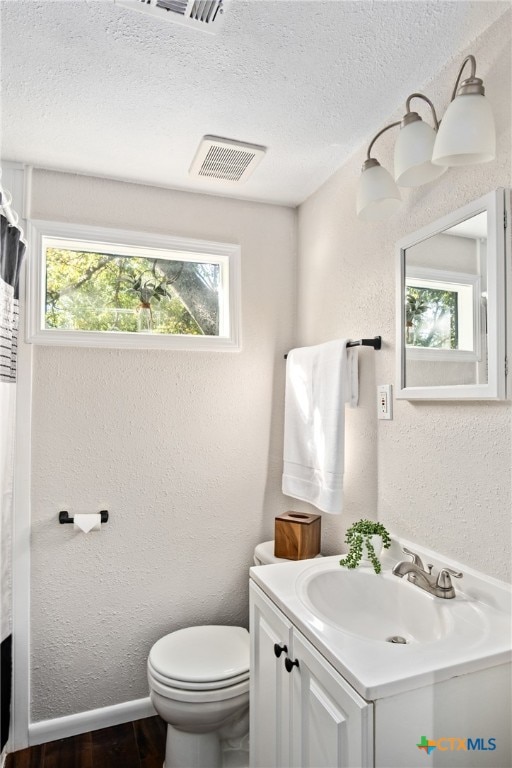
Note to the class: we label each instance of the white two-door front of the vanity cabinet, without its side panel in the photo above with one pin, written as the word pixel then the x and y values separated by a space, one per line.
pixel 303 713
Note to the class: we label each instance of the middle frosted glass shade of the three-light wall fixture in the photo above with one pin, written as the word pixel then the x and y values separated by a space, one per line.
pixel 413 155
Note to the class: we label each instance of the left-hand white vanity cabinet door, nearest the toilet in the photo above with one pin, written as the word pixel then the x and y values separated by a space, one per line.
pixel 270 712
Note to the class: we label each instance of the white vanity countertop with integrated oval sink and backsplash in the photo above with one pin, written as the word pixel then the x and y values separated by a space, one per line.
pixel 385 635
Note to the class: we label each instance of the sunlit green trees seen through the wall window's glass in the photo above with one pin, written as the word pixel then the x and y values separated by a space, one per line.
pixel 104 292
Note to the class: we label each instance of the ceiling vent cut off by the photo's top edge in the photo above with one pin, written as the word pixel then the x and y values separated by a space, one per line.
pixel 201 14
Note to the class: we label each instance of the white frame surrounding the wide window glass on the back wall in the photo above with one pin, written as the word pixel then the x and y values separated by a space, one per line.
pixel 227 255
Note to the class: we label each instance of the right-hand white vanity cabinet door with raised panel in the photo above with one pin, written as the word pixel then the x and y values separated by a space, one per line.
pixel 332 724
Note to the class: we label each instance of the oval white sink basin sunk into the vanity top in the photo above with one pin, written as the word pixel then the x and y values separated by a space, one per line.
pixel 375 606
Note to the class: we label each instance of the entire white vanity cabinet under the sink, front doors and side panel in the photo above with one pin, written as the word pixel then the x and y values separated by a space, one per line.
pixel 304 714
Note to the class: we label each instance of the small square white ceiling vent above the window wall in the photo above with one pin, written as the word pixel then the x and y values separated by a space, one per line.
pixel 225 160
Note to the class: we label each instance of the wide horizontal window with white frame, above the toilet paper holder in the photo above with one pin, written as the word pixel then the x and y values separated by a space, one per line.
pixel 99 287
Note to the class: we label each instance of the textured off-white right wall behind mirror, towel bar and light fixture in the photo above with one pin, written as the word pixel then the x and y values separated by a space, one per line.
pixel 439 473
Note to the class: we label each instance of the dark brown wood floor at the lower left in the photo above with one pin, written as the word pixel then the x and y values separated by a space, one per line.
pixel 140 744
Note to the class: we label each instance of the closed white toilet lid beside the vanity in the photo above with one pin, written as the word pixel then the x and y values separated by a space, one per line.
pixel 202 654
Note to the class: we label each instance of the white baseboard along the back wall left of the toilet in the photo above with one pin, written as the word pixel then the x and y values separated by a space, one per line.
pixel 92 720
